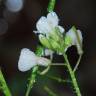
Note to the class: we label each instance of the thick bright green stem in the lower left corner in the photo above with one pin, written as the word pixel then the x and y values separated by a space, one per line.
pixel 3 85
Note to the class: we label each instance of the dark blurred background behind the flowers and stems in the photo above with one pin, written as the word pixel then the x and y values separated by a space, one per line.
pixel 18 34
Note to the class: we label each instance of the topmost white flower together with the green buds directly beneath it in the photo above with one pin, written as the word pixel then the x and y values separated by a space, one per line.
pixel 51 34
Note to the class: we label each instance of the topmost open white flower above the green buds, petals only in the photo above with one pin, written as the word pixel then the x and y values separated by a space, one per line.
pixel 47 24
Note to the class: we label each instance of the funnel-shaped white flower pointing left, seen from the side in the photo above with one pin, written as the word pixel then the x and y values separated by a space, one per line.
pixel 28 60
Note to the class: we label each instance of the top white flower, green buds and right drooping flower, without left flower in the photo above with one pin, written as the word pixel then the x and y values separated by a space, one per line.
pixel 53 36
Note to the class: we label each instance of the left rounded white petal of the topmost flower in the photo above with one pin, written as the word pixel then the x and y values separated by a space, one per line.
pixel 43 26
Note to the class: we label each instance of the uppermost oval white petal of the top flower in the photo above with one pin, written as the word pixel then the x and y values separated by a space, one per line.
pixel 52 19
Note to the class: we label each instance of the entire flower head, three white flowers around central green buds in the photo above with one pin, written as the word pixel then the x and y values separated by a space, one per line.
pixel 53 37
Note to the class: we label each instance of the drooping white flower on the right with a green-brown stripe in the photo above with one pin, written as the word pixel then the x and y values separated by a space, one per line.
pixel 76 38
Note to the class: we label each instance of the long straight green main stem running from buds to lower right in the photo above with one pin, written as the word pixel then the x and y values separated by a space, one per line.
pixel 72 74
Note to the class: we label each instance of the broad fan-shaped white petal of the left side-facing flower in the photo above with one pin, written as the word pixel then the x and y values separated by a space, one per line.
pixel 27 60
